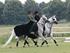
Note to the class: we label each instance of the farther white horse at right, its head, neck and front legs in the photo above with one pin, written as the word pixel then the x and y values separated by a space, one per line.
pixel 48 29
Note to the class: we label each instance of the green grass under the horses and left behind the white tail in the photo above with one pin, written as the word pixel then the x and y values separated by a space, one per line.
pixel 5 31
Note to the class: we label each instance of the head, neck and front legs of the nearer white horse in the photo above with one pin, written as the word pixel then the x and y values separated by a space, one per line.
pixel 40 25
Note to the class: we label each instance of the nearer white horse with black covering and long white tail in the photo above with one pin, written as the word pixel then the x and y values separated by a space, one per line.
pixel 23 31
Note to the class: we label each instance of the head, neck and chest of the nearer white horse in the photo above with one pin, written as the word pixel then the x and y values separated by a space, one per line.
pixel 41 25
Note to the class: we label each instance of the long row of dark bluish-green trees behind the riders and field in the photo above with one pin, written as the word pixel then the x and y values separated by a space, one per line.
pixel 14 12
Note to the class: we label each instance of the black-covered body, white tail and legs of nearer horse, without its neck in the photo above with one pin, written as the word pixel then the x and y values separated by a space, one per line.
pixel 24 31
